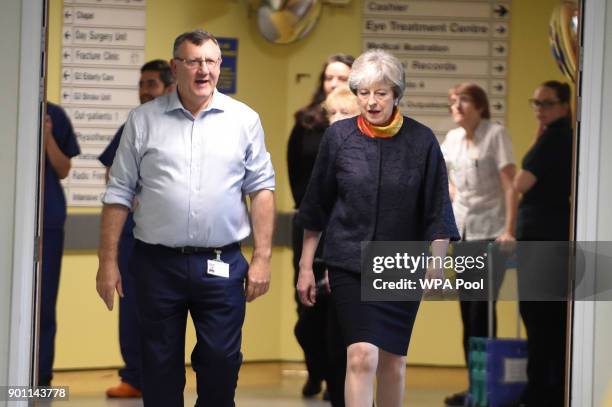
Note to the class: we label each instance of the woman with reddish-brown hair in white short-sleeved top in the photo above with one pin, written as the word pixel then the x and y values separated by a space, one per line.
pixel 481 169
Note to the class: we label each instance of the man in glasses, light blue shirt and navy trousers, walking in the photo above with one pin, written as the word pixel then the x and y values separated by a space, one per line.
pixel 188 159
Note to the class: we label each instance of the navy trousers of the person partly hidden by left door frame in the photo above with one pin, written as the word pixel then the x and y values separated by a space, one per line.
pixel 53 247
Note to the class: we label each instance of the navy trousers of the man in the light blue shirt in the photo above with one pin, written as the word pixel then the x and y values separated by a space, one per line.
pixel 169 285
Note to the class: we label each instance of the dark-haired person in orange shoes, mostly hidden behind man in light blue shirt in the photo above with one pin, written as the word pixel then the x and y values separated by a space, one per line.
pixel 155 80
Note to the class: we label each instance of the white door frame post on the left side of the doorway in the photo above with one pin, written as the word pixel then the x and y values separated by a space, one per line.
pixel 30 93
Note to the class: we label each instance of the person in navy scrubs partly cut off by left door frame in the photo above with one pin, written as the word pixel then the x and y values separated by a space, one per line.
pixel 60 146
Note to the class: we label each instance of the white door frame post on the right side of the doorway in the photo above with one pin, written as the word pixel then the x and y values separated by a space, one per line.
pixel 590 131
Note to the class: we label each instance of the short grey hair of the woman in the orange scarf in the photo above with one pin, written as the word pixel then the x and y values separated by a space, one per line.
pixel 377 65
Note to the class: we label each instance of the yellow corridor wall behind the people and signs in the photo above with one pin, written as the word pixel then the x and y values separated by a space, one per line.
pixel 87 333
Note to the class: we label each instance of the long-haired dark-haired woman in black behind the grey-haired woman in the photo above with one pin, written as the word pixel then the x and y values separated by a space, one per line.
pixel 311 329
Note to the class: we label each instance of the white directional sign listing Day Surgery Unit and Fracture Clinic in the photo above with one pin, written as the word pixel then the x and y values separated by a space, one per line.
pixel 103 49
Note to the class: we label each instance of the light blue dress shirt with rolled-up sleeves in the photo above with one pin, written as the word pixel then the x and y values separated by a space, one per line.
pixel 190 175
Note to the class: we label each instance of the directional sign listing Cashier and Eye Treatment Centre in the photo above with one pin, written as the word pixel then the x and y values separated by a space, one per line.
pixel 442 43
